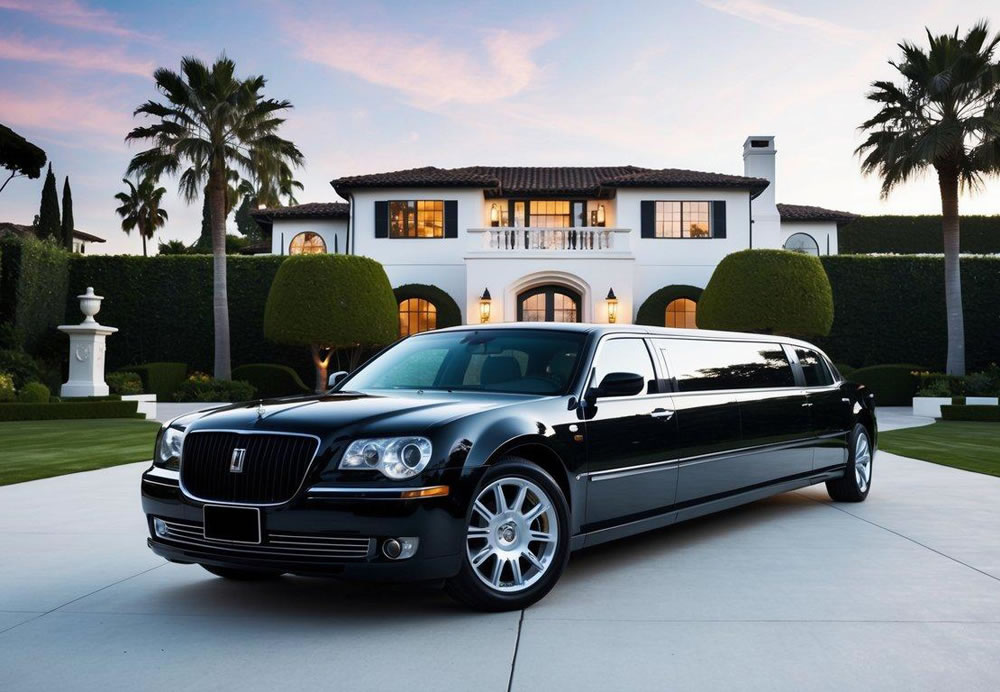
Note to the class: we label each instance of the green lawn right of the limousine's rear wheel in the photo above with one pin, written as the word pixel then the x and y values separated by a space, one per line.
pixel 963 445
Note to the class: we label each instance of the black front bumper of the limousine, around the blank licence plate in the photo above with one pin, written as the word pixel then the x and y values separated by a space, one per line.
pixel 329 534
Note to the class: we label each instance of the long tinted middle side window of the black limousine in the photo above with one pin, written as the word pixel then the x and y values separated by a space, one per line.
pixel 713 365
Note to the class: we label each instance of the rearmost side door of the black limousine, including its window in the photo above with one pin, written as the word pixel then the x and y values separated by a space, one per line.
pixel 830 410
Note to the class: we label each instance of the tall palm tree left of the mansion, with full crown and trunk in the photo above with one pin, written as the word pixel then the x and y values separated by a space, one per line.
pixel 213 124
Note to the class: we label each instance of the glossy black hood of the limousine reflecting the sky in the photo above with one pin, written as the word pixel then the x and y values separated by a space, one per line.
pixel 408 412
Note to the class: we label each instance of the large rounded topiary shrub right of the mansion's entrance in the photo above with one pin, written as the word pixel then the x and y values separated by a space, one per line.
pixel 769 291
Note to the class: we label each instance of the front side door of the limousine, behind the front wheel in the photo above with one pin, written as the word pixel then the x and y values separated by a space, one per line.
pixel 630 439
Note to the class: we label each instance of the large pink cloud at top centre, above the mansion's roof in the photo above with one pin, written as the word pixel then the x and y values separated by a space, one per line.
pixel 429 73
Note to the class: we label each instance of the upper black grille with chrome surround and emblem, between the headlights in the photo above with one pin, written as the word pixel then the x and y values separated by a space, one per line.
pixel 272 466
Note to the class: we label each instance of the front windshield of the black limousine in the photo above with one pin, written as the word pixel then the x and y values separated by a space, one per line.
pixel 522 361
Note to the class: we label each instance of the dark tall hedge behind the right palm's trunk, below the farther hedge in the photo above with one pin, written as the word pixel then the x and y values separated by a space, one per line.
pixel 891 310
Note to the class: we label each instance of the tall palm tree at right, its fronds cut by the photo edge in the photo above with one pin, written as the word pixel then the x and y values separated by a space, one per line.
pixel 945 114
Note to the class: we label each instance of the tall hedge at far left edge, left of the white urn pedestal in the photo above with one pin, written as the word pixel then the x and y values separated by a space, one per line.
pixel 33 288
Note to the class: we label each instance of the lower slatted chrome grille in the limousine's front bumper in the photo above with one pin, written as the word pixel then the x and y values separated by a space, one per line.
pixel 275 545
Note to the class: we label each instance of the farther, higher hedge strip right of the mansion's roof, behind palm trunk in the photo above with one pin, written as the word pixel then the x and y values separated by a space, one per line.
pixel 917 234
